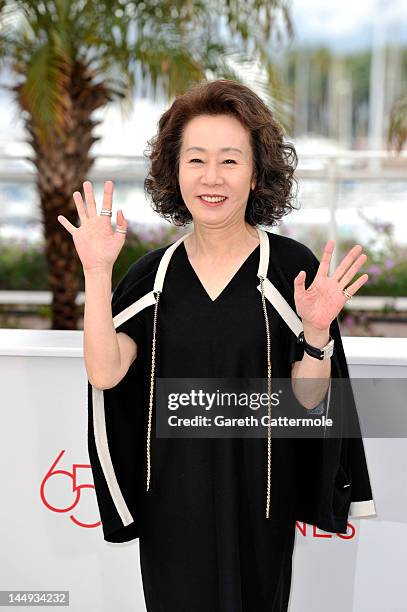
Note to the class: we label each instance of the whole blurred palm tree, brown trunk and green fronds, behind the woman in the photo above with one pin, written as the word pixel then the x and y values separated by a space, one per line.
pixel 72 57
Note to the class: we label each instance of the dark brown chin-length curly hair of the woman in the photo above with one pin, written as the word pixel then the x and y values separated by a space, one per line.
pixel 274 160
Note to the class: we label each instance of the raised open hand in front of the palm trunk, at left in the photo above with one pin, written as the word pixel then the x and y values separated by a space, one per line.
pixel 96 243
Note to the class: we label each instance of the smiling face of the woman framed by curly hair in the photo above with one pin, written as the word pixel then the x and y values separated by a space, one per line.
pixel 206 169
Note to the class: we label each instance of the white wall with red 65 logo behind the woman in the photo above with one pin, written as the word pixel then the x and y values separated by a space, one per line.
pixel 50 536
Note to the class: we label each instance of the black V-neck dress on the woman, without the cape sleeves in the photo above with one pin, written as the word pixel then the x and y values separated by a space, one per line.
pixel 205 542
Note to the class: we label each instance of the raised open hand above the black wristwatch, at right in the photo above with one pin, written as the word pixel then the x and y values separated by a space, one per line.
pixel 320 304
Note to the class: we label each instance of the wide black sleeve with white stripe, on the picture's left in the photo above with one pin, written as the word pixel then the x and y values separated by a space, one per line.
pixel 117 415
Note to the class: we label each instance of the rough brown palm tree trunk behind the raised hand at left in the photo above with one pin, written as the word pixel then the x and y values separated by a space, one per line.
pixel 62 160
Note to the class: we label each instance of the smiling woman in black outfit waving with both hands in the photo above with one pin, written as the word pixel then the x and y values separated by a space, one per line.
pixel 216 529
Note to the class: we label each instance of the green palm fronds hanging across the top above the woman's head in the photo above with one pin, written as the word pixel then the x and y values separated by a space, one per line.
pixel 169 44
